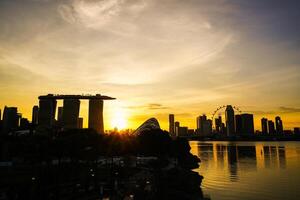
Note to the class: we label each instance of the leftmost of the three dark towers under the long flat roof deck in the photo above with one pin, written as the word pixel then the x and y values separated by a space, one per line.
pixel 46 116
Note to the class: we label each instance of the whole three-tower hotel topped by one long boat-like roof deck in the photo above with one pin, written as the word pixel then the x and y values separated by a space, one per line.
pixel 69 113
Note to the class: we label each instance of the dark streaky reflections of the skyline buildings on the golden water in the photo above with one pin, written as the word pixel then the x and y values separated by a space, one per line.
pixel 244 157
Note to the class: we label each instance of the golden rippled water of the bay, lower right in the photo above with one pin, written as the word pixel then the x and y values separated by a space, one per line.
pixel 249 170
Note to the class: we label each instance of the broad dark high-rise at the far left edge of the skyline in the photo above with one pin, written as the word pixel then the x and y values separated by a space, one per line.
pixel 10 120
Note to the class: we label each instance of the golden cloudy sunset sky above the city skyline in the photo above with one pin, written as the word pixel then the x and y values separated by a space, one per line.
pixel 156 57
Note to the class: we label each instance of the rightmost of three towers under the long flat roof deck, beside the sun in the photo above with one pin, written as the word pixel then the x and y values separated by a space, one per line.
pixel 96 115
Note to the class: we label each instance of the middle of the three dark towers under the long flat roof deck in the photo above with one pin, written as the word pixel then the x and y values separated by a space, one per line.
pixel 70 113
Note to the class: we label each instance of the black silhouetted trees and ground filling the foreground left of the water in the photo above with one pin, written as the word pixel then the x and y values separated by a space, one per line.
pixel 81 164
